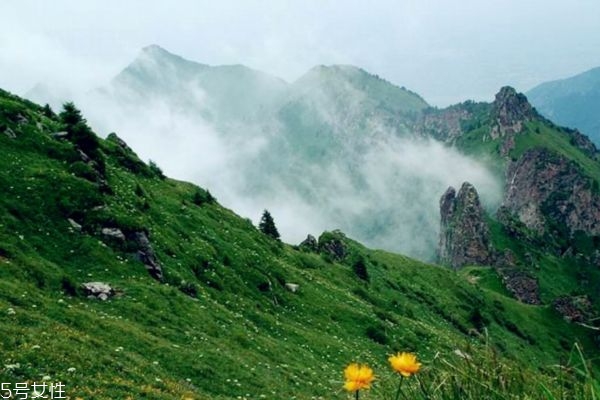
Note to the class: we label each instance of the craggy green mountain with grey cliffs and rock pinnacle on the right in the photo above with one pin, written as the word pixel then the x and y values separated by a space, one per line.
pixel 545 233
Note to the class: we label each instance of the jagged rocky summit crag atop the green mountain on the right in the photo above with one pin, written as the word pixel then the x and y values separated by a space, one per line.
pixel 509 110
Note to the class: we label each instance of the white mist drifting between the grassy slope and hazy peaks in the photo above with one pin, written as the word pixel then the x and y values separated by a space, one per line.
pixel 386 197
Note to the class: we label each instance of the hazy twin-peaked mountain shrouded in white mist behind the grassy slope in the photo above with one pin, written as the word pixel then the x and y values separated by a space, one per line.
pixel 336 149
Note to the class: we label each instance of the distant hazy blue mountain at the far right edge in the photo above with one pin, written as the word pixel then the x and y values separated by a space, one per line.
pixel 572 102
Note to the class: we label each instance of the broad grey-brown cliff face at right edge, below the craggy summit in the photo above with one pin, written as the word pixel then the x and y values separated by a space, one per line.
pixel 543 188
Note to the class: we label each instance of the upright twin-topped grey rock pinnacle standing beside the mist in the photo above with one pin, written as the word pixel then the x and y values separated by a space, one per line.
pixel 464 235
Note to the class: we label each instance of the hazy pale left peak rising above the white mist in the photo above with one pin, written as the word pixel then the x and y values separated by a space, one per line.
pixel 219 93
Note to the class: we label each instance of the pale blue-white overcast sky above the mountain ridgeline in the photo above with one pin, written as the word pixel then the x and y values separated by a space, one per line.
pixel 447 51
